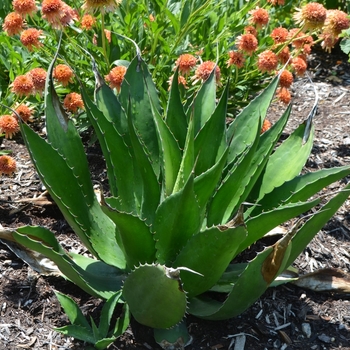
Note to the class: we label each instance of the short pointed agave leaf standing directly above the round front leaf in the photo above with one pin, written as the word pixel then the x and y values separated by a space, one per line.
pixel 177 219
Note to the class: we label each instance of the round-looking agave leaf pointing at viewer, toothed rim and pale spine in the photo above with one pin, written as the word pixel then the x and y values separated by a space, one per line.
pixel 155 296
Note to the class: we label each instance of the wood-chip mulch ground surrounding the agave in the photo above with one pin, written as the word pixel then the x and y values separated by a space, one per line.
pixel 285 317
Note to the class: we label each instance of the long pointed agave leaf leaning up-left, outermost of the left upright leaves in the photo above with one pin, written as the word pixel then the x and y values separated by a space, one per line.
pixel 93 227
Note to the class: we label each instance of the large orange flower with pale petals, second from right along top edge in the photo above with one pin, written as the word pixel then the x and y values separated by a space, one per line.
pixel 311 16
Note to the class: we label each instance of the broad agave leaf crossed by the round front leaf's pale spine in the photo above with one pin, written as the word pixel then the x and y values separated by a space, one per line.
pixel 208 253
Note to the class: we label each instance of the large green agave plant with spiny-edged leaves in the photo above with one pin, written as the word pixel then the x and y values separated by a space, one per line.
pixel 187 194
